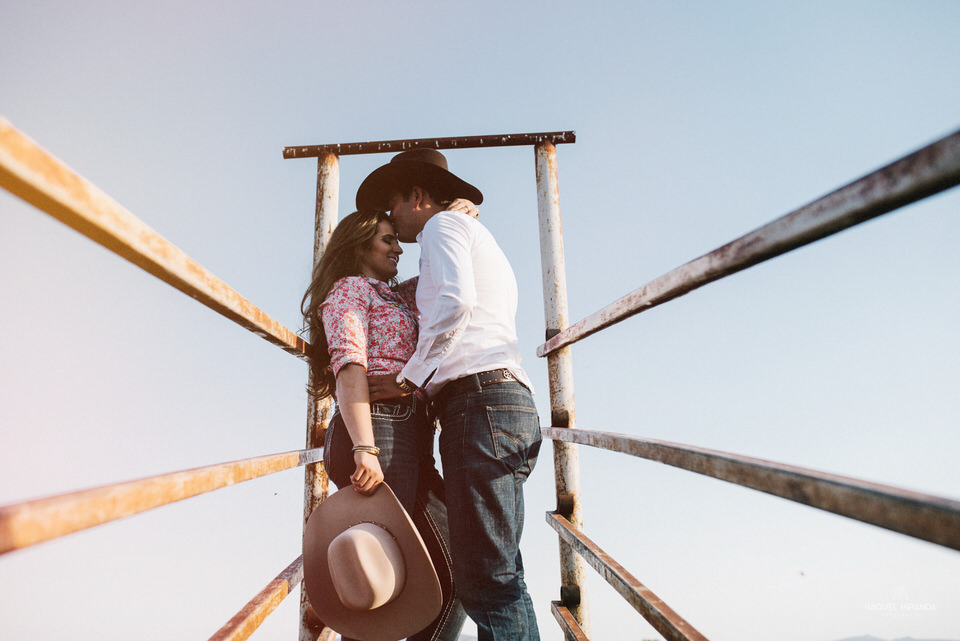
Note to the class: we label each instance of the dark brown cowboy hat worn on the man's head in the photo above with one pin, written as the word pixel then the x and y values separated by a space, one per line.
pixel 424 167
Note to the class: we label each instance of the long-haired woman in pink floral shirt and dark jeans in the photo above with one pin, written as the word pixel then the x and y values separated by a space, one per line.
pixel 359 326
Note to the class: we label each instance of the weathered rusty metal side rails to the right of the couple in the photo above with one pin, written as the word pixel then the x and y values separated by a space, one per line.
pixel 928 171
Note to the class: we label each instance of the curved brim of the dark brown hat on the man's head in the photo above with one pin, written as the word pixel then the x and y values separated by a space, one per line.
pixel 377 188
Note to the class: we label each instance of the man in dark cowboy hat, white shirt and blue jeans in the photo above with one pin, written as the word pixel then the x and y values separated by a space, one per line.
pixel 468 363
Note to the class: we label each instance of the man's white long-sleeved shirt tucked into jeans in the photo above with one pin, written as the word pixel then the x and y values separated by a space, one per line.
pixel 467 298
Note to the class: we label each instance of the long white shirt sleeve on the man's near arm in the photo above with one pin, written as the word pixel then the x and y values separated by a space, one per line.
pixel 446 278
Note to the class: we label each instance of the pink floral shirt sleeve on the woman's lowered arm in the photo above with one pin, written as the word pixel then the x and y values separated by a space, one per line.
pixel 346 316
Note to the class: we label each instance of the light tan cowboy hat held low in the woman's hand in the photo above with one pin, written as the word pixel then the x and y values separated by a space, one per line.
pixel 366 570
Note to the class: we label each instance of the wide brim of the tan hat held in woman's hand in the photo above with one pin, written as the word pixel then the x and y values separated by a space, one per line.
pixel 420 599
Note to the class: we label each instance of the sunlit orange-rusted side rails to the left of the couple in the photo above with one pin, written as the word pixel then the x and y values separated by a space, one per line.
pixel 34 175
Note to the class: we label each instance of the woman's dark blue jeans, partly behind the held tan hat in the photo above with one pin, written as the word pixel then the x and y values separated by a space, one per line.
pixel 404 435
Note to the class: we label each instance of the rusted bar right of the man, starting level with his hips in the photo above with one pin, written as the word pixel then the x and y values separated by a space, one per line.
pixel 923 516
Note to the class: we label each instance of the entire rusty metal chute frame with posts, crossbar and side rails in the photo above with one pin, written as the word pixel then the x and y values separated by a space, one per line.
pixel 32 174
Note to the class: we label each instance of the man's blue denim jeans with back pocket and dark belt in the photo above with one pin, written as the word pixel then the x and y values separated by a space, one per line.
pixel 489 441
